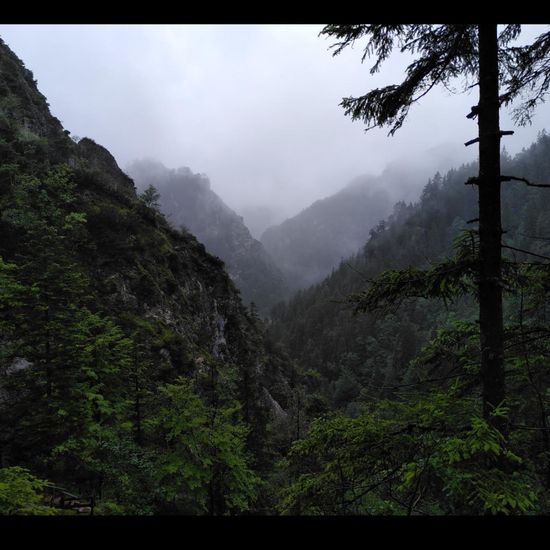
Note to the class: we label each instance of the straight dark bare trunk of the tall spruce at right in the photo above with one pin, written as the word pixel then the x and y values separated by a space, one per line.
pixel 490 230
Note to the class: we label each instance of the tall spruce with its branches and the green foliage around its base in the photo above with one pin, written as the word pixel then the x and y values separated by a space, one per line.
pixel 475 430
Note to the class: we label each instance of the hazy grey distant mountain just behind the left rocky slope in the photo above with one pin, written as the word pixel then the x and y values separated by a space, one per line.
pixel 187 199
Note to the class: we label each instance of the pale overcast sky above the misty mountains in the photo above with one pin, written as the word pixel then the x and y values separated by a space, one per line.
pixel 255 107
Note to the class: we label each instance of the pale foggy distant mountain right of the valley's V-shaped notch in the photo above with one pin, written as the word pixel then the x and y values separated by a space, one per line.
pixel 309 245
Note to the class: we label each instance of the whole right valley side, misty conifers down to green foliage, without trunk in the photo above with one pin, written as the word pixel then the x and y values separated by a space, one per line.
pixel 393 396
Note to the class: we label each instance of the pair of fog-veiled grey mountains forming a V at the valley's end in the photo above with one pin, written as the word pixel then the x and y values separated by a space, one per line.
pixel 296 253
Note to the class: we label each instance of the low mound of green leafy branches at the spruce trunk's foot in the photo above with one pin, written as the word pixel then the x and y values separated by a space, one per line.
pixel 402 458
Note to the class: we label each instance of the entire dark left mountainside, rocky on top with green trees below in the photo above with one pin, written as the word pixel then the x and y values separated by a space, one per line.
pixel 121 338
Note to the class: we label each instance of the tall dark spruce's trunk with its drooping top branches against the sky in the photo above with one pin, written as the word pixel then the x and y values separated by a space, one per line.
pixel 503 74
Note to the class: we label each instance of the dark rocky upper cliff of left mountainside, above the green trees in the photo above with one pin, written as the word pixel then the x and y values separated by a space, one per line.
pixel 140 264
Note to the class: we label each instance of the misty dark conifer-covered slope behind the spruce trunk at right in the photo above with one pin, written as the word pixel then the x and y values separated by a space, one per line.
pixel 368 354
